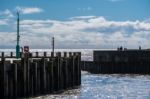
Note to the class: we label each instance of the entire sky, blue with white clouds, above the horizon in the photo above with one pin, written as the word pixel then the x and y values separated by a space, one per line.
pixel 103 24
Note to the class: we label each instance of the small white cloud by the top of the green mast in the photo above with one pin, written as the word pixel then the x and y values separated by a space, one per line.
pixel 29 10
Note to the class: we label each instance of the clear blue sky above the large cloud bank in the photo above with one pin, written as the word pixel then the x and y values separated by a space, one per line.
pixel 63 9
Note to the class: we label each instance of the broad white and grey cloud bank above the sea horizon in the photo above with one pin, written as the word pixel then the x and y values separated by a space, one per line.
pixel 82 32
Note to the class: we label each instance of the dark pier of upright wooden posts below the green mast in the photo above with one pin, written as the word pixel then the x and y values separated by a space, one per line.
pixel 33 75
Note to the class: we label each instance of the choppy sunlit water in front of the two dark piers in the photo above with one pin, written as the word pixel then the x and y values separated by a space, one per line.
pixel 98 86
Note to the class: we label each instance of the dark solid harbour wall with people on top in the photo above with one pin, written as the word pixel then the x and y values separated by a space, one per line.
pixel 119 62
